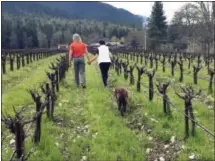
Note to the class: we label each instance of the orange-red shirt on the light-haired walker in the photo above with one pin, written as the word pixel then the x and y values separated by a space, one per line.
pixel 78 49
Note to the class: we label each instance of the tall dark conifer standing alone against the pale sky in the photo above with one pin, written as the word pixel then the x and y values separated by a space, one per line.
pixel 157 25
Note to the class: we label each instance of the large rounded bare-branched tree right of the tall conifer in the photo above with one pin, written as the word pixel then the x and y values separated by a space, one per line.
pixel 193 21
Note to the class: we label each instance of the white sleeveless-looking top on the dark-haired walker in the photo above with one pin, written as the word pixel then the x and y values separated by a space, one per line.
pixel 104 54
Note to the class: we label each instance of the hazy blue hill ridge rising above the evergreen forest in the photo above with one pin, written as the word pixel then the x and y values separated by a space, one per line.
pixel 75 10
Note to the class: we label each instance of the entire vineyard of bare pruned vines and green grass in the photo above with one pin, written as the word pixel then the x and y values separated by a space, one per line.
pixel 170 114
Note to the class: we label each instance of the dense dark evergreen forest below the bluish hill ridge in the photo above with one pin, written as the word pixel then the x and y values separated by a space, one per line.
pixel 20 32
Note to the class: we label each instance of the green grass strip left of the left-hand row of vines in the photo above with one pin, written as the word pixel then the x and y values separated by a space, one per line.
pixel 16 84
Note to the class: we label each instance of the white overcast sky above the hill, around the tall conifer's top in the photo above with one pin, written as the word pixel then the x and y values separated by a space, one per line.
pixel 144 8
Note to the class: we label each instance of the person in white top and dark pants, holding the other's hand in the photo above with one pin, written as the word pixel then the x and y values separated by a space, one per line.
pixel 104 60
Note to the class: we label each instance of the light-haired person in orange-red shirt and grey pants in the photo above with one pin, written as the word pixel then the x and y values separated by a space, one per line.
pixel 77 50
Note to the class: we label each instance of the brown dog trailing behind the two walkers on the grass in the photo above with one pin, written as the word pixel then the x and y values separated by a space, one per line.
pixel 121 96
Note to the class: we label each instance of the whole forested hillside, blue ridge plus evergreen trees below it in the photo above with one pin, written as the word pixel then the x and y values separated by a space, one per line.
pixel 33 25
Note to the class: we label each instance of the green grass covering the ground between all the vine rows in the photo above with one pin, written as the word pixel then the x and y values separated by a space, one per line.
pixel 89 126
